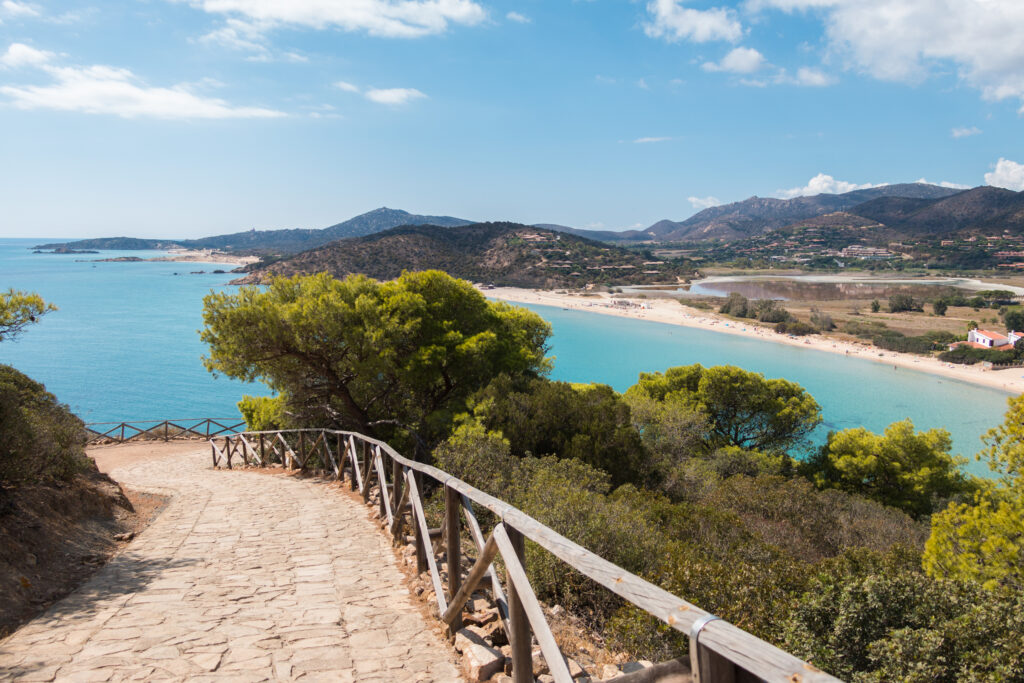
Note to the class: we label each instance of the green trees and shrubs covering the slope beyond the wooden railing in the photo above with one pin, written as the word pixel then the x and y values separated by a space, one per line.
pixel 689 480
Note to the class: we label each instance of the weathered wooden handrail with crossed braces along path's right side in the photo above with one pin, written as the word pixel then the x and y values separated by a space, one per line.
pixel 733 654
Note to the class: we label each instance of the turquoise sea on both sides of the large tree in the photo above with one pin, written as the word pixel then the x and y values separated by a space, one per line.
pixel 125 347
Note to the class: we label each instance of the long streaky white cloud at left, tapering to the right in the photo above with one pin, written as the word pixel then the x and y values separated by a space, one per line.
pixel 101 90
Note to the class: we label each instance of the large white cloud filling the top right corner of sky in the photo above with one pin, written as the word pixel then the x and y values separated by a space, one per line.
pixel 907 40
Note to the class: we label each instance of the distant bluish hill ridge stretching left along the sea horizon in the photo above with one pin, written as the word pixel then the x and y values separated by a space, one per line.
pixel 273 242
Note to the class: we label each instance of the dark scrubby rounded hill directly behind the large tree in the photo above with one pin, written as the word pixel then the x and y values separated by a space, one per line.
pixel 507 254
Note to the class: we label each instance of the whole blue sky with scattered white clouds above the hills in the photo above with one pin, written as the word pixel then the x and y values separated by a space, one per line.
pixel 185 118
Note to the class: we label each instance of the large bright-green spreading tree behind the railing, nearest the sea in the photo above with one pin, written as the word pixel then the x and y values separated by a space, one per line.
pixel 392 360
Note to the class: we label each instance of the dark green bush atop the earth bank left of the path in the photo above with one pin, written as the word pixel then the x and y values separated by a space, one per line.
pixel 41 442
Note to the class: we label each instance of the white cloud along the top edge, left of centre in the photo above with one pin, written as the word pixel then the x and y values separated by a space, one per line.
pixel 389 19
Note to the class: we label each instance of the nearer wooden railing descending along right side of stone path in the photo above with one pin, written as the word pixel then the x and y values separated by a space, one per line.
pixel 719 651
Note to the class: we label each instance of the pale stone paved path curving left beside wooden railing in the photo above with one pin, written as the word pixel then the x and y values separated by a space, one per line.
pixel 244 577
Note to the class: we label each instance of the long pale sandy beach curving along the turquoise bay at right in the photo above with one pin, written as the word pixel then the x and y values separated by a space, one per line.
pixel 672 313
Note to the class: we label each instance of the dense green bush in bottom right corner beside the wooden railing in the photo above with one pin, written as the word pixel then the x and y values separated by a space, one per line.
pixel 874 618
